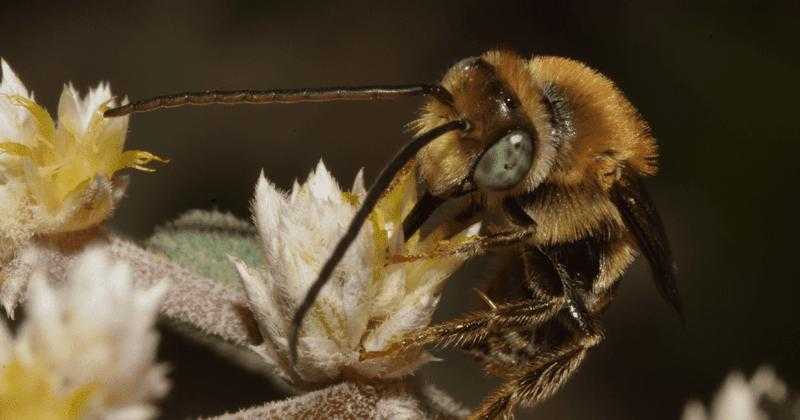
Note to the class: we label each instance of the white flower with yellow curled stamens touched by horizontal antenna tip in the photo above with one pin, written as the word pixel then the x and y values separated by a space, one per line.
pixel 58 177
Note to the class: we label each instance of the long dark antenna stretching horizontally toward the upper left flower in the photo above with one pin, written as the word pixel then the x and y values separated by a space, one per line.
pixel 283 96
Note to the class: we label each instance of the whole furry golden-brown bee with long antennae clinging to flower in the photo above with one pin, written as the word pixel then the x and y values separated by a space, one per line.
pixel 550 156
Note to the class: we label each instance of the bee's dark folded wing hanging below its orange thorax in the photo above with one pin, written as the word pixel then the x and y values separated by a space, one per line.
pixel 643 221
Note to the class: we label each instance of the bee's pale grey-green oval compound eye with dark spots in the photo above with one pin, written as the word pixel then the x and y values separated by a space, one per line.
pixel 506 163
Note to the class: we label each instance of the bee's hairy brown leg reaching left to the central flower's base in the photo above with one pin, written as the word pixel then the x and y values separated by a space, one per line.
pixel 474 328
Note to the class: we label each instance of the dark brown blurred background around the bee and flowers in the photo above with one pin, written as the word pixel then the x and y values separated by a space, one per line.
pixel 717 82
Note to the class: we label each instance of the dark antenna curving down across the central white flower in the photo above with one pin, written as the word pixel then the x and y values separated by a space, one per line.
pixel 373 195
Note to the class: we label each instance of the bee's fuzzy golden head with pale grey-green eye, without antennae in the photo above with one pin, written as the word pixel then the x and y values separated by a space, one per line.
pixel 500 152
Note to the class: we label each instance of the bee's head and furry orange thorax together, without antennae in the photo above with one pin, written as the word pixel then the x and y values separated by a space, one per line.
pixel 531 121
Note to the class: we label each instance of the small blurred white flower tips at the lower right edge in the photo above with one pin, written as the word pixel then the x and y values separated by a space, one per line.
pixel 740 399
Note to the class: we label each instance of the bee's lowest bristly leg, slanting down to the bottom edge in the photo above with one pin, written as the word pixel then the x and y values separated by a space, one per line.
pixel 540 378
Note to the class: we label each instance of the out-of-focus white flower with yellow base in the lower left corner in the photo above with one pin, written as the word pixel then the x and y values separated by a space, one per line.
pixel 86 350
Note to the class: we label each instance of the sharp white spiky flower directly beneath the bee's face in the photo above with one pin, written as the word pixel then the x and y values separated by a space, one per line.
pixel 368 305
